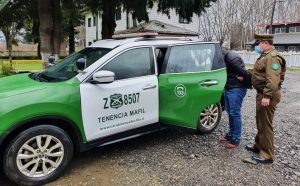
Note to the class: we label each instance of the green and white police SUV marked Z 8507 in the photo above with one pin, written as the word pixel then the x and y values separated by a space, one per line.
pixel 108 91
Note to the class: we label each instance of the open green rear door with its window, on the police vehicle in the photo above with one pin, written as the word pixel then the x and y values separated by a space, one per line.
pixel 193 77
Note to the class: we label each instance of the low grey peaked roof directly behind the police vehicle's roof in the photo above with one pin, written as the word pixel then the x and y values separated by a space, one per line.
pixel 163 29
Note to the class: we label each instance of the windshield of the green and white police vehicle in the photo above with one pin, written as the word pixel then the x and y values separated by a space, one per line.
pixel 66 69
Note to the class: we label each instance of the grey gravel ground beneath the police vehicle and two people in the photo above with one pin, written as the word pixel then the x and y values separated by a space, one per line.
pixel 179 157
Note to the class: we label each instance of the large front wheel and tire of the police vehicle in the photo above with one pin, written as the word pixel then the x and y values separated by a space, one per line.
pixel 38 155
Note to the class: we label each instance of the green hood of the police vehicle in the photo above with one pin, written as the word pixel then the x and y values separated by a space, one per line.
pixel 18 84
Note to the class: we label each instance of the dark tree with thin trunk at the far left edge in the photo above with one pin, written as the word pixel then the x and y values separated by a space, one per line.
pixel 10 24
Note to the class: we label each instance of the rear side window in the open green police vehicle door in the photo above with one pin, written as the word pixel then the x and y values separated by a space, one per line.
pixel 190 58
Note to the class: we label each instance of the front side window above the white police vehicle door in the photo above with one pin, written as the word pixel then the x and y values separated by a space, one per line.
pixel 132 63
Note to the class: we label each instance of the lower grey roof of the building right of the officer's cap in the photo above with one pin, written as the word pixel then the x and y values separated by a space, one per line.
pixel 284 39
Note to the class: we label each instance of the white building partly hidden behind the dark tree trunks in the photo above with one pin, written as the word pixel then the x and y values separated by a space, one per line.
pixel 176 20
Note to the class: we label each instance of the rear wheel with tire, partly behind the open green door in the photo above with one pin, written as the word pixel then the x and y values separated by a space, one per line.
pixel 209 118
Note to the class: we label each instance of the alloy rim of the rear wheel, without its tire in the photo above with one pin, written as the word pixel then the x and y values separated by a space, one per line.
pixel 209 117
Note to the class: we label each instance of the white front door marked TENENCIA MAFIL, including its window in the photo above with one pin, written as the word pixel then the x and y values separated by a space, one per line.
pixel 131 101
